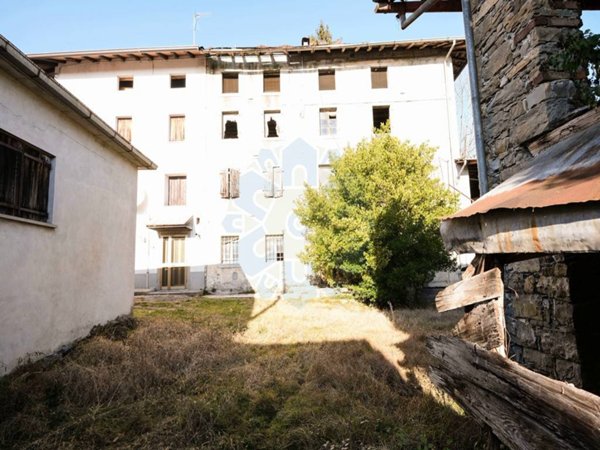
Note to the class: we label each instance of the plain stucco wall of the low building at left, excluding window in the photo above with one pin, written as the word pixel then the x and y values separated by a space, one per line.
pixel 59 282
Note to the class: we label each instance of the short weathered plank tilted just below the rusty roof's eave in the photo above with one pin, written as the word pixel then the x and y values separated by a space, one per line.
pixel 485 286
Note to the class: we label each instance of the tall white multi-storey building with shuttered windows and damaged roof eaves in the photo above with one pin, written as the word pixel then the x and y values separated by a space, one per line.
pixel 238 132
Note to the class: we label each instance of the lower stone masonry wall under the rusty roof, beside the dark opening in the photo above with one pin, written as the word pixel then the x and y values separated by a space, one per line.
pixel 540 318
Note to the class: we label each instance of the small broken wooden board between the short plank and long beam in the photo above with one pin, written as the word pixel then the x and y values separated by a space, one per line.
pixel 483 325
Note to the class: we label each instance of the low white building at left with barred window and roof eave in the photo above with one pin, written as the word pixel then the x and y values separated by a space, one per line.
pixel 68 187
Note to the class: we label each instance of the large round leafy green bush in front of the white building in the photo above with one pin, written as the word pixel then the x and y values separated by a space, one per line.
pixel 375 227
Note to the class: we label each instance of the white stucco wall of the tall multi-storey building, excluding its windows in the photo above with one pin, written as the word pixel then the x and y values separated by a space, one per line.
pixel 420 94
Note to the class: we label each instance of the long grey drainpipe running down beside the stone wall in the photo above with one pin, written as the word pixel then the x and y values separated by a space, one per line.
pixel 475 100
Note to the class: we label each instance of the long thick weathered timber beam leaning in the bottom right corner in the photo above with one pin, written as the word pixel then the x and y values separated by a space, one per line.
pixel 524 409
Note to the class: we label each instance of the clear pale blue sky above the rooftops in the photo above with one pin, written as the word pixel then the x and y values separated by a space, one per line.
pixel 63 25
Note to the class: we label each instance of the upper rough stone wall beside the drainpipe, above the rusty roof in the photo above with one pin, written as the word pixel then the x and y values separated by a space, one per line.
pixel 520 98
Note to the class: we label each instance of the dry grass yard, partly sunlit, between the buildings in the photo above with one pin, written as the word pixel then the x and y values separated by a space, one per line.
pixel 239 373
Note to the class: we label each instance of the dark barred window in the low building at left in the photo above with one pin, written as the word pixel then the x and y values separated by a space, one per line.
pixel 24 179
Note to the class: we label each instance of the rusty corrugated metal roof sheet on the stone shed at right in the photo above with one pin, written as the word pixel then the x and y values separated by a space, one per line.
pixel 566 173
